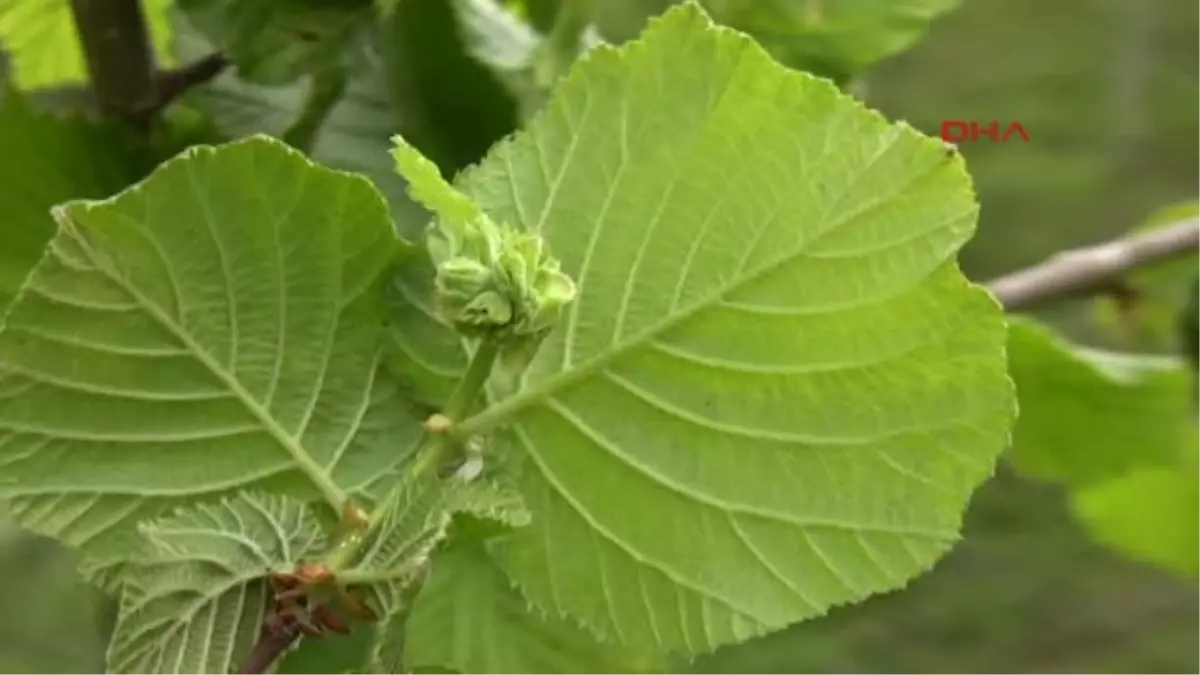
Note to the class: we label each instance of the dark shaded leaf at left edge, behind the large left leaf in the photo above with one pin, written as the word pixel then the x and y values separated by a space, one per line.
pixel 46 162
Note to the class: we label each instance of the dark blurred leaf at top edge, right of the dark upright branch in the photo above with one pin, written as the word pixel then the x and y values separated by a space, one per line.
pixel 280 41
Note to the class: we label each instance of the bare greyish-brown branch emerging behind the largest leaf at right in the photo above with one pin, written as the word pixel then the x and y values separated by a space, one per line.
pixel 1096 270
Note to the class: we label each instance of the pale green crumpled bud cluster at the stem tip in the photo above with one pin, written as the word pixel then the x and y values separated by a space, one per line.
pixel 495 282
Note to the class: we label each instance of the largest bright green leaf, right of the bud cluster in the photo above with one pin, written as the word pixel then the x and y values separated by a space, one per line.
pixel 776 392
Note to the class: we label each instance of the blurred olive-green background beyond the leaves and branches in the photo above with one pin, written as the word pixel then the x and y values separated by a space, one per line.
pixel 1111 93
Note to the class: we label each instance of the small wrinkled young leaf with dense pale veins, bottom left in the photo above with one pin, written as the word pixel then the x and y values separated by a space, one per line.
pixel 195 604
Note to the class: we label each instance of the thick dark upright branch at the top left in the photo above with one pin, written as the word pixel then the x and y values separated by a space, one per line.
pixel 121 58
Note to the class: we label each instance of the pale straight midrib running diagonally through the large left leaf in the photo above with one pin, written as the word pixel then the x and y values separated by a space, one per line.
pixel 320 477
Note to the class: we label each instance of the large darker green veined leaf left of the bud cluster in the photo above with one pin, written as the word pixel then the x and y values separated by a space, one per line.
pixel 217 327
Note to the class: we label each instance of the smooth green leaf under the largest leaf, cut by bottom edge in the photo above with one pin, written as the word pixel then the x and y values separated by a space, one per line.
pixel 469 618
